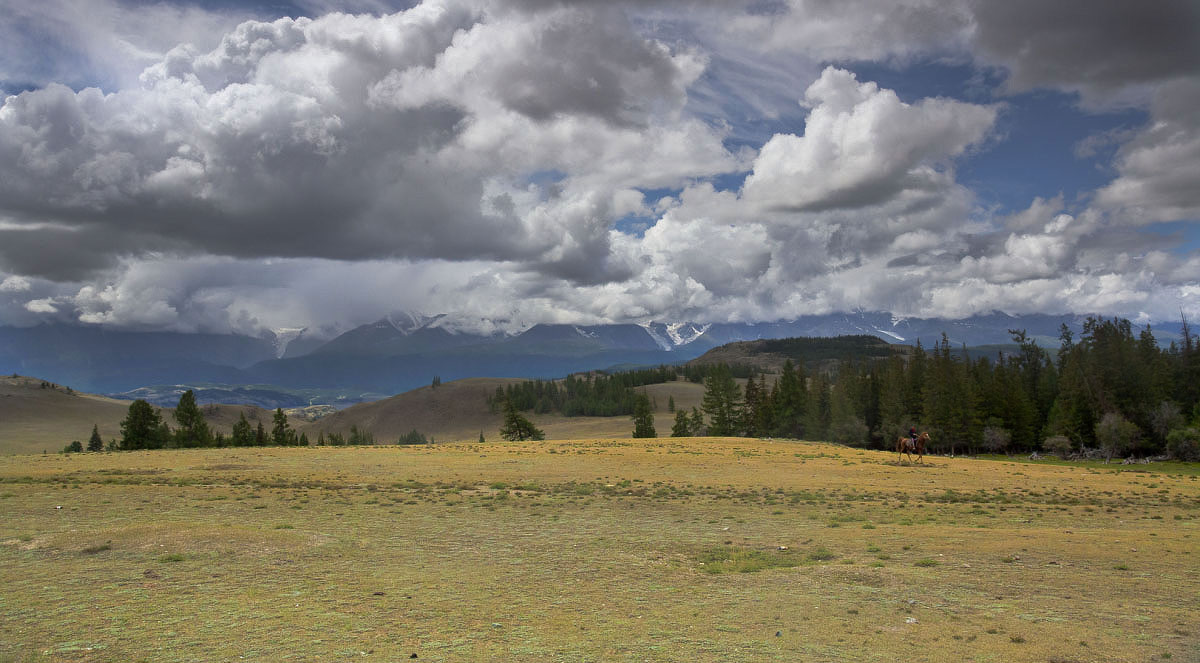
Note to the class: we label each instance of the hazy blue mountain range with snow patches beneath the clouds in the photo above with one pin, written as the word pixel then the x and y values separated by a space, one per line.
pixel 404 351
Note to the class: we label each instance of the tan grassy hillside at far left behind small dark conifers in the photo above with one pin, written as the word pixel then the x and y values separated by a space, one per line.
pixel 35 419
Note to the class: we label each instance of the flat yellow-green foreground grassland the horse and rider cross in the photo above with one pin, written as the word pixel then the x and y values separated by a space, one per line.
pixel 595 551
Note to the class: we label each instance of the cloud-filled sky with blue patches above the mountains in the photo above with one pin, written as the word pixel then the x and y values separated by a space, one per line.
pixel 219 166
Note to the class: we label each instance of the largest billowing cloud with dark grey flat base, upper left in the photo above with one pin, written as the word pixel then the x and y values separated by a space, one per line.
pixel 359 138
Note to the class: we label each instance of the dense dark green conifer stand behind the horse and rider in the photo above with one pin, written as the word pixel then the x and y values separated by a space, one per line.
pixel 1111 391
